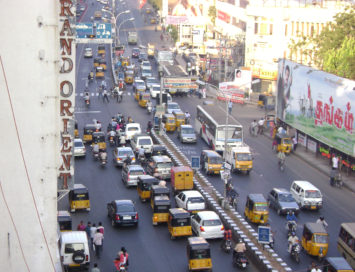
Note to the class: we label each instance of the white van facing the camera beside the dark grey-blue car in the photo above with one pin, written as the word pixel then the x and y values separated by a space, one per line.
pixel 306 195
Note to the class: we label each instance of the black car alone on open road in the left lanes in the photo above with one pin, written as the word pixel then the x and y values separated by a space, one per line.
pixel 122 212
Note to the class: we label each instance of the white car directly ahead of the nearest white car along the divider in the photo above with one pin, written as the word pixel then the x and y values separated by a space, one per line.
pixel 191 201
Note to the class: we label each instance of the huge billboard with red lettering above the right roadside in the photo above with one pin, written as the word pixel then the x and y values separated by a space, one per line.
pixel 318 104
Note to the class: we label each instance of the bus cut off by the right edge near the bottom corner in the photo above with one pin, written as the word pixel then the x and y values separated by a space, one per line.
pixel 346 242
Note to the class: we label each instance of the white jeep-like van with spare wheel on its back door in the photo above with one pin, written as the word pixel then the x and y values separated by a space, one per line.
pixel 74 249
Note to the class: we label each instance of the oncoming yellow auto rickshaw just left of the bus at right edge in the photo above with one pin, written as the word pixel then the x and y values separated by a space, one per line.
pixel 315 239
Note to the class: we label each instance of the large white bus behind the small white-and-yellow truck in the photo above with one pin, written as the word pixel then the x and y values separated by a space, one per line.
pixel 210 123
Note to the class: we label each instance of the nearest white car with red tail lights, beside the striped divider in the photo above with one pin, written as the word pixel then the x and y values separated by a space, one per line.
pixel 207 224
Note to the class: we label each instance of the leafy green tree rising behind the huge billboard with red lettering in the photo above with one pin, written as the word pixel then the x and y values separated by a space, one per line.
pixel 333 50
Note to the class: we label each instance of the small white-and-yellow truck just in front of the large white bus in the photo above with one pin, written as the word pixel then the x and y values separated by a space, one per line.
pixel 240 158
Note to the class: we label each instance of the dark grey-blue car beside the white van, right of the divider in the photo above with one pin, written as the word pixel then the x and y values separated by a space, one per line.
pixel 282 201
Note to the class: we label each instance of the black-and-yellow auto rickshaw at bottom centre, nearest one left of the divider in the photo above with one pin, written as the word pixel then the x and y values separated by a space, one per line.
pixel 199 254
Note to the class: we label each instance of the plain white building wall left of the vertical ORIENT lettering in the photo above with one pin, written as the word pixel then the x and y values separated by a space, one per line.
pixel 33 88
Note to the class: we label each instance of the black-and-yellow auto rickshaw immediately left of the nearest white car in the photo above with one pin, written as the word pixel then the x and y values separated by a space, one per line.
pixel 179 223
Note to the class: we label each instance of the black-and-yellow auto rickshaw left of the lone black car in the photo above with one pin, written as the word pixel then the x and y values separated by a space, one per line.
pixel 79 198
